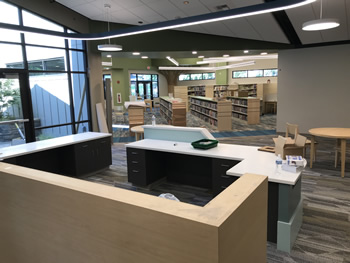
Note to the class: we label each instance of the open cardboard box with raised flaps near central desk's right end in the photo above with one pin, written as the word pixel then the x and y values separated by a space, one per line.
pixel 298 148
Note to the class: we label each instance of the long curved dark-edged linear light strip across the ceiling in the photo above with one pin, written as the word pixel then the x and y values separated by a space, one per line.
pixel 263 8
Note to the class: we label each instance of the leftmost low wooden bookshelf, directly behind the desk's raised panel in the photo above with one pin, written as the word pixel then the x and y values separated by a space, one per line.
pixel 173 110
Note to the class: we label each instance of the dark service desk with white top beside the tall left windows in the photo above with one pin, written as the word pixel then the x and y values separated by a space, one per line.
pixel 72 155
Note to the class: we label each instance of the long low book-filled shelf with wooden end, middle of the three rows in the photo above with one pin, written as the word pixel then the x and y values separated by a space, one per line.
pixel 216 112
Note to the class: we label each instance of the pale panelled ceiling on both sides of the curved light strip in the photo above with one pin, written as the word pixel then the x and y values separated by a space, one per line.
pixel 279 27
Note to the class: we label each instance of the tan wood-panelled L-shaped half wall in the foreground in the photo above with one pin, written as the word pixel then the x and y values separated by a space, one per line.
pixel 51 218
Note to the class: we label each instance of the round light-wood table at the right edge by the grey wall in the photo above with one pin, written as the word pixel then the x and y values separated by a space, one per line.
pixel 337 133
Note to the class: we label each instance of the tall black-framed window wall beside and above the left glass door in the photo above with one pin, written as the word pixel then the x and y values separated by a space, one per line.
pixel 56 72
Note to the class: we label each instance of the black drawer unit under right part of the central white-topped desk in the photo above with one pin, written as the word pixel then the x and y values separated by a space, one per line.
pixel 220 181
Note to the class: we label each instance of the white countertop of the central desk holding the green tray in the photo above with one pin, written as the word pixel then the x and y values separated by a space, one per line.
pixel 252 160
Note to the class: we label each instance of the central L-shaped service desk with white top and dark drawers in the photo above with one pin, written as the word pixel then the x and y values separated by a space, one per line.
pixel 216 168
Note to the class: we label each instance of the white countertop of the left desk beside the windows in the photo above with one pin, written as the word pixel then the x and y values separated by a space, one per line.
pixel 22 149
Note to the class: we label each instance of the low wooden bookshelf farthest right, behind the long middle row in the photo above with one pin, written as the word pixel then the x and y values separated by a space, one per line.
pixel 247 109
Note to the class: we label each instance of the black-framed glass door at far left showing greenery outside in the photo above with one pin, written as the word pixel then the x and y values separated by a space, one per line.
pixel 12 122
